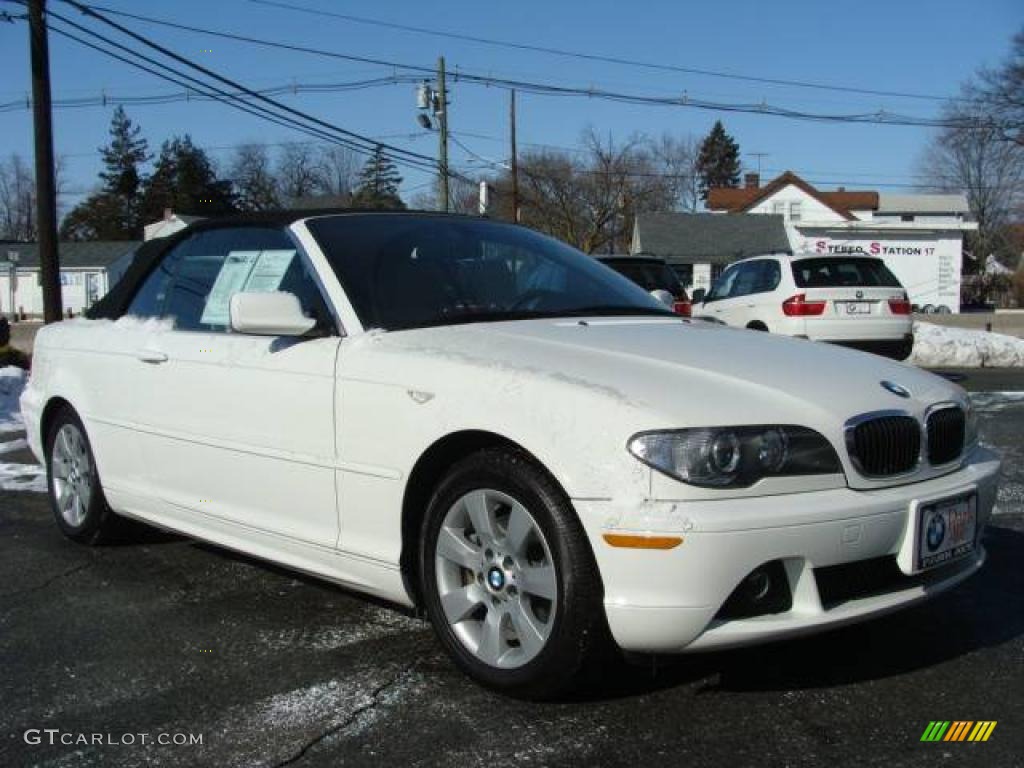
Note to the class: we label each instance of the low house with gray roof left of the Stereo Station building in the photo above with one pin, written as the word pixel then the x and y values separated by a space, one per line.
pixel 700 246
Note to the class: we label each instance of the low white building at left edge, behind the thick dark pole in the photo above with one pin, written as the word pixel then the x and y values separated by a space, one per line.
pixel 88 272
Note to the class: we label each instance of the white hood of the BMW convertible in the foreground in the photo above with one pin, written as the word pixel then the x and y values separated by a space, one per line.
pixel 686 371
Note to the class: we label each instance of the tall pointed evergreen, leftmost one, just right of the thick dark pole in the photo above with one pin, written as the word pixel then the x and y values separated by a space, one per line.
pixel 113 212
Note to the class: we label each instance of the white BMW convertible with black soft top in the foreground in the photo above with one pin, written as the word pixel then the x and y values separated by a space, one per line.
pixel 476 420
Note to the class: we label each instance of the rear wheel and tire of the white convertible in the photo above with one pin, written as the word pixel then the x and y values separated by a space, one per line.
pixel 73 482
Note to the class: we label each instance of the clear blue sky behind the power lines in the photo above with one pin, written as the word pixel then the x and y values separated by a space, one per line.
pixel 913 48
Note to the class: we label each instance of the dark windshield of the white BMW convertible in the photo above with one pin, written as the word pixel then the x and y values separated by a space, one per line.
pixel 403 272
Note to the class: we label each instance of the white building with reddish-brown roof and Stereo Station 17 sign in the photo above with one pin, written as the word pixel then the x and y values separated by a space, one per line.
pixel 920 237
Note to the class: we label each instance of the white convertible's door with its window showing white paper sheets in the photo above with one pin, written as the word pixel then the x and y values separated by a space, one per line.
pixel 235 429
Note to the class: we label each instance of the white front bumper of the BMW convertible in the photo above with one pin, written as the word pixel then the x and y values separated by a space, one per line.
pixel 667 601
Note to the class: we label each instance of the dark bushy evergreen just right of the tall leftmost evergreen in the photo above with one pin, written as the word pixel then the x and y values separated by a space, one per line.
pixel 185 181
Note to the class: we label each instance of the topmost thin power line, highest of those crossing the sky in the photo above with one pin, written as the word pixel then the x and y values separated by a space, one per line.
pixel 602 58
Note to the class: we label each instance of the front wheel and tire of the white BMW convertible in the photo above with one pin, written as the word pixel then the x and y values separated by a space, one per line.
pixel 520 608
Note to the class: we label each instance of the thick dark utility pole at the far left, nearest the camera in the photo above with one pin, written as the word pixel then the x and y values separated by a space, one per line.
pixel 47 199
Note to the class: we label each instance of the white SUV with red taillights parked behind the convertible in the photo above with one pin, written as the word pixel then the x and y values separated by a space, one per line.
pixel 856 302
